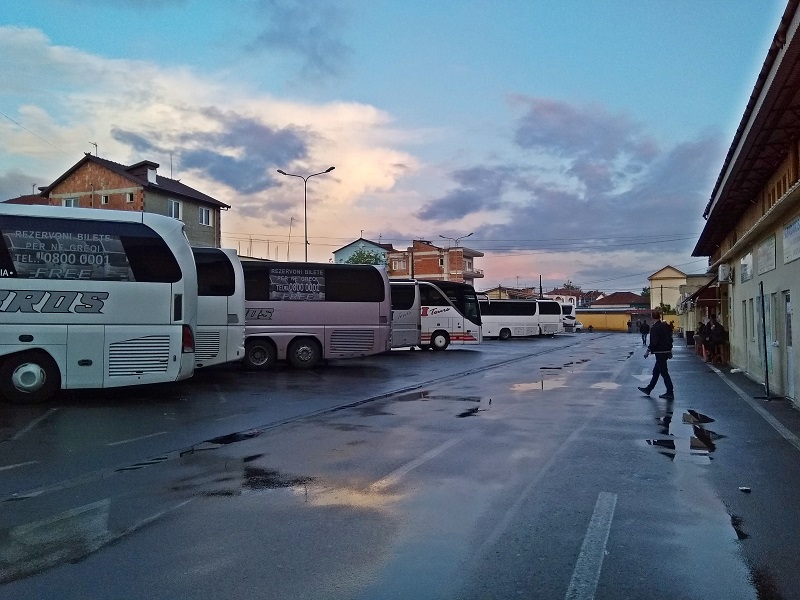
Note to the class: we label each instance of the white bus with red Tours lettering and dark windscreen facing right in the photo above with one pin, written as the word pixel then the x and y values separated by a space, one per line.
pixel 450 314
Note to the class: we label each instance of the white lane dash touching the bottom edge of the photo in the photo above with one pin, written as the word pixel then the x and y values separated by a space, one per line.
pixel 590 560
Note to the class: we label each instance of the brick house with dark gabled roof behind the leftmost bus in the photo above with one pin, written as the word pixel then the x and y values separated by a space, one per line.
pixel 95 182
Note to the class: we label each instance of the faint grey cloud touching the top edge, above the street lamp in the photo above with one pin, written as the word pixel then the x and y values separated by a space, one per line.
pixel 307 30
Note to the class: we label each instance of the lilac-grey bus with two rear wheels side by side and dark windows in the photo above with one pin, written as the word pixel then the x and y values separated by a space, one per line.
pixel 307 312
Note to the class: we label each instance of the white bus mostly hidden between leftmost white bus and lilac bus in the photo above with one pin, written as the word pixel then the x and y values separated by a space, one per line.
pixel 220 307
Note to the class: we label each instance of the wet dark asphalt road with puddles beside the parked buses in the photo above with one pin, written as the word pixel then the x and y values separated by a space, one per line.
pixel 530 469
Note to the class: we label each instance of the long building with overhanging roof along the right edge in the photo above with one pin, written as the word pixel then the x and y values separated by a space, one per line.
pixel 752 231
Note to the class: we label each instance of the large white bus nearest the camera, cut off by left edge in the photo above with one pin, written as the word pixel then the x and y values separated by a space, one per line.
pixel 68 321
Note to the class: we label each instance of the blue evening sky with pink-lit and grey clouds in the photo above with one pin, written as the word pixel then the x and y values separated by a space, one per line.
pixel 576 140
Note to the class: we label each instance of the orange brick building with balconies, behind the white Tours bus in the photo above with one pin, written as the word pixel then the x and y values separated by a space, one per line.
pixel 423 260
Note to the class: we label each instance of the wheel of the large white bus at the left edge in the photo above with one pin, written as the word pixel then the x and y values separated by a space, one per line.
pixel 29 378
